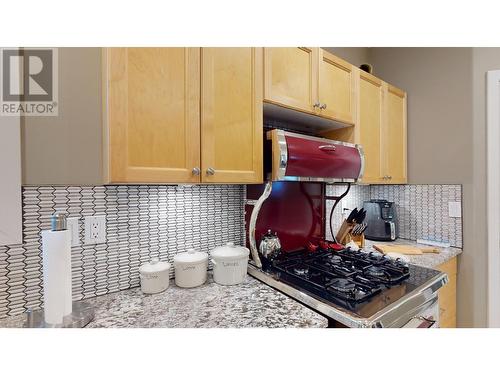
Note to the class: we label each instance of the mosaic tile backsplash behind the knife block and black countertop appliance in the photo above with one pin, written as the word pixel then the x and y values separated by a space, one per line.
pixel 422 210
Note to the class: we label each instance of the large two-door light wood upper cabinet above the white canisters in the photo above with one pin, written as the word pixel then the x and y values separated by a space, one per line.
pixel 183 115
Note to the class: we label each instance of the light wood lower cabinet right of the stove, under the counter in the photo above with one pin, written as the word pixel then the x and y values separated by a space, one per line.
pixel 447 295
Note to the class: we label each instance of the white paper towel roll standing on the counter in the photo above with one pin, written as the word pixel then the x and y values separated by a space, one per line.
pixel 57 296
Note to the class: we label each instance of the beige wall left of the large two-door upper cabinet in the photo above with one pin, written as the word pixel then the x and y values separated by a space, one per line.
pixel 53 146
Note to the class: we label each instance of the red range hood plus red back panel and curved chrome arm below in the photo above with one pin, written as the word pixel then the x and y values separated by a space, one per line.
pixel 307 161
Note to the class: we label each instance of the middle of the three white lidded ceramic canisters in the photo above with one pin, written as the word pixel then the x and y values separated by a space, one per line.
pixel 190 268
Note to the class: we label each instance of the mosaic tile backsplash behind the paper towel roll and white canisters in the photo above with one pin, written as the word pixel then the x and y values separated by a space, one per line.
pixel 141 222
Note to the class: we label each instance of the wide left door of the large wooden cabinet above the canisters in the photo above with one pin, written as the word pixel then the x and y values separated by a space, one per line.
pixel 153 114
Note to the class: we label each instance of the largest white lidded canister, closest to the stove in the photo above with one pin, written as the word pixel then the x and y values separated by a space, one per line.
pixel 230 263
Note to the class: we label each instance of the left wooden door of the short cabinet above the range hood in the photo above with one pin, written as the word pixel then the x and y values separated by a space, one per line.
pixel 291 77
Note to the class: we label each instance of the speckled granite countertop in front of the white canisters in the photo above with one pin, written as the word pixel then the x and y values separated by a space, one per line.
pixel 250 304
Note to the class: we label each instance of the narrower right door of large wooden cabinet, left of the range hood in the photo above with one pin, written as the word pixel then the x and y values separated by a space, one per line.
pixel 231 115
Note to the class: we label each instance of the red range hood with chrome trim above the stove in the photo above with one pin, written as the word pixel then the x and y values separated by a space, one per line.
pixel 297 157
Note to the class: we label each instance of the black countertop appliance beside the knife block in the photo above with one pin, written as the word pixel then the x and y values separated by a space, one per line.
pixel 381 219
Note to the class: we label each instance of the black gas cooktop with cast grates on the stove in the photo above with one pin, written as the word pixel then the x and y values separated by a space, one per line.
pixel 359 282
